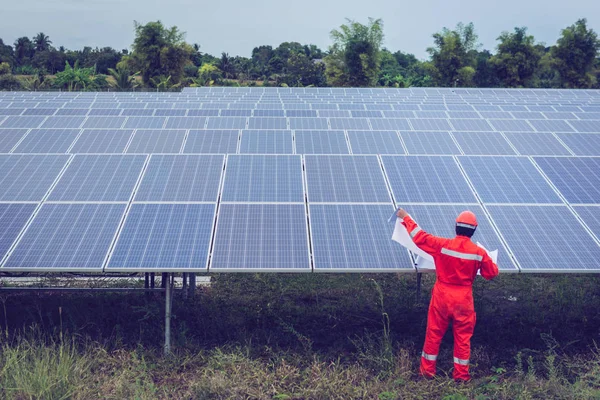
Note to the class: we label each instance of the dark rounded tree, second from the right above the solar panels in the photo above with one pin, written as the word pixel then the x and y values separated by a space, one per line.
pixel 517 58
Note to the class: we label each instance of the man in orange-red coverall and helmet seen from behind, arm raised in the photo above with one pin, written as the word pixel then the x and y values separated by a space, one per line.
pixel 456 264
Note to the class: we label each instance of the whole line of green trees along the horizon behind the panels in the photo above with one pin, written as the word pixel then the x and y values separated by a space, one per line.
pixel 161 58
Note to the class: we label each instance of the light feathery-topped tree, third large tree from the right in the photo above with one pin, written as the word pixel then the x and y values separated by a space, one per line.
pixel 453 55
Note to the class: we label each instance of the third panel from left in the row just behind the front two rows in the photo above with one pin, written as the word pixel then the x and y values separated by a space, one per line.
pixel 102 141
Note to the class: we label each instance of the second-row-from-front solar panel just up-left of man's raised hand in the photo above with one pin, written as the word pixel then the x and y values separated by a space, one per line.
pixel 345 179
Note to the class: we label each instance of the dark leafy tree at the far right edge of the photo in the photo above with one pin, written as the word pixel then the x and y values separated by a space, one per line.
pixel 575 55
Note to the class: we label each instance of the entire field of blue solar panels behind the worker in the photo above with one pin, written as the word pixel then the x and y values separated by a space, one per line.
pixel 295 179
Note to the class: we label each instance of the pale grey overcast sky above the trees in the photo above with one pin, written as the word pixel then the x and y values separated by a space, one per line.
pixel 237 26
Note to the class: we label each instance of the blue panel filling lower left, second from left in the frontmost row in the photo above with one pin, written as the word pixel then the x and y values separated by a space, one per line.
pixel 67 237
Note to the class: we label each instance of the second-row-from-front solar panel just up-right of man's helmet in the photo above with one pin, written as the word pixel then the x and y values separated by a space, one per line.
pixel 508 180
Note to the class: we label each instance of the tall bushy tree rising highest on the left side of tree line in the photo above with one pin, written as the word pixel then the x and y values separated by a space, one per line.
pixel 158 51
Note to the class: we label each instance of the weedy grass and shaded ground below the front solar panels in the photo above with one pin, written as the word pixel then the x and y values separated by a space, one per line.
pixel 301 337
